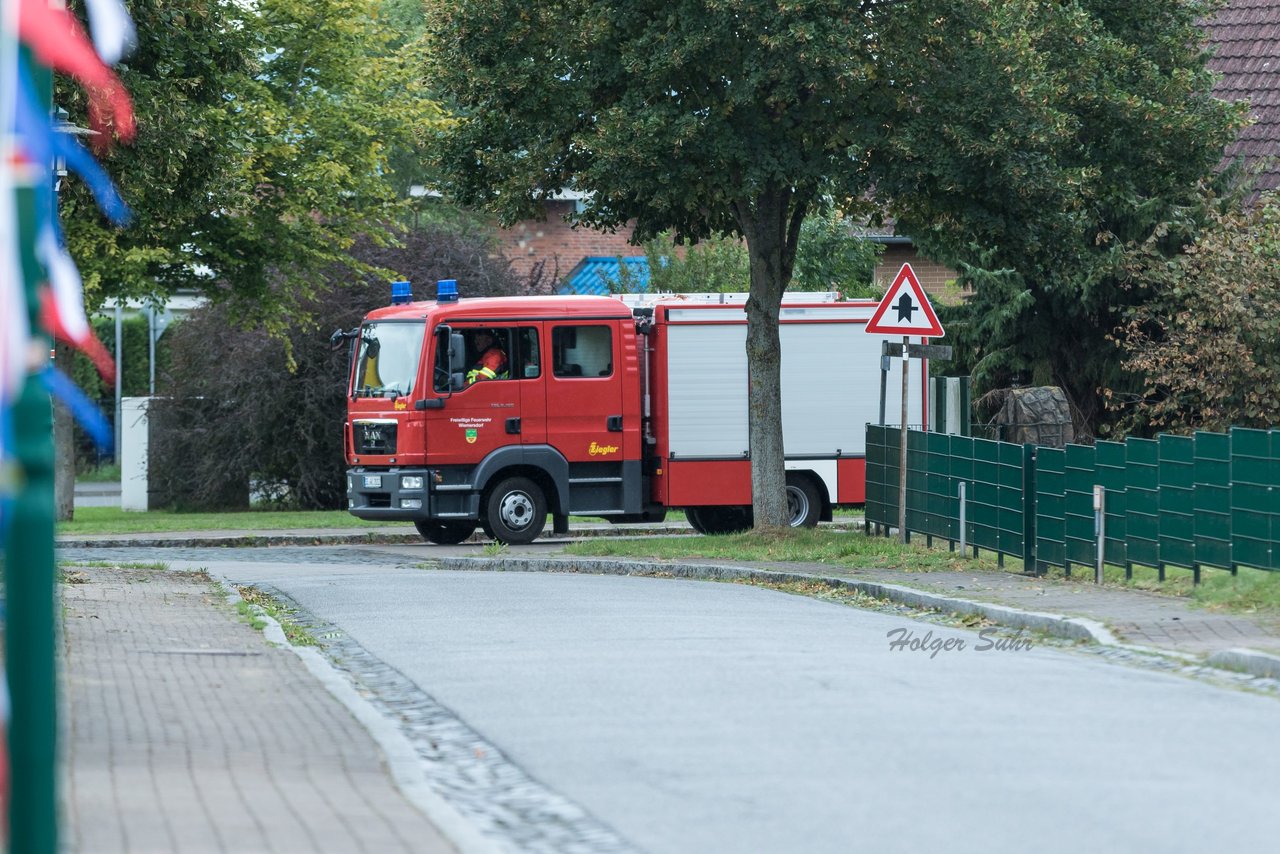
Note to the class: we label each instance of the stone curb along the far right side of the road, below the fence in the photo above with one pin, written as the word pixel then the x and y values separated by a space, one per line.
pixel 1082 629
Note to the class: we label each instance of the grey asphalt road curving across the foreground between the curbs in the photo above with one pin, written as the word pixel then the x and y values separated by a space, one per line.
pixel 714 718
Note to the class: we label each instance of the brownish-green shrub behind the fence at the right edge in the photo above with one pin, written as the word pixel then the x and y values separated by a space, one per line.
pixel 1206 334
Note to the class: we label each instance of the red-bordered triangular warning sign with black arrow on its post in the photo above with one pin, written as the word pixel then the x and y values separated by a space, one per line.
pixel 906 312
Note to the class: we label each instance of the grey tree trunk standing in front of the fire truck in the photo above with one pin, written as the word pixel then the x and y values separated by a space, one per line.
pixel 771 229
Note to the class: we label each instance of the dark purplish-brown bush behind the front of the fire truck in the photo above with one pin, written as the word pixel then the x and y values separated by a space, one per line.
pixel 237 413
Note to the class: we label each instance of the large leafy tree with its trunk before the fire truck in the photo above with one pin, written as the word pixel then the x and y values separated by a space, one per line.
pixel 700 118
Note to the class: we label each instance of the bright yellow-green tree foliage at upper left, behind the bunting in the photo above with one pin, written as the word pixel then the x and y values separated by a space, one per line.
pixel 262 154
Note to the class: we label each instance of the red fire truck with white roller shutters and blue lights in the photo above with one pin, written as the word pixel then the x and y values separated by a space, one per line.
pixel 619 408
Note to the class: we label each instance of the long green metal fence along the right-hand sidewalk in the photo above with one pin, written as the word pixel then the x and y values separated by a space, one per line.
pixel 1208 500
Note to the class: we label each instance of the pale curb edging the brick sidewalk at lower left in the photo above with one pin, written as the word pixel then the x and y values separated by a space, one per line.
pixel 403 761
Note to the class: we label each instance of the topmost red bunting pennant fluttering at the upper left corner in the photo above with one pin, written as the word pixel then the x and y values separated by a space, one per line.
pixel 60 42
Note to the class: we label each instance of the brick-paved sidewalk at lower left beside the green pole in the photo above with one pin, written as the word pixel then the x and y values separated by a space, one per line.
pixel 185 730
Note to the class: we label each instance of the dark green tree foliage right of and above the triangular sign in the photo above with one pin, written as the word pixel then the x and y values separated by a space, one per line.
pixel 1075 133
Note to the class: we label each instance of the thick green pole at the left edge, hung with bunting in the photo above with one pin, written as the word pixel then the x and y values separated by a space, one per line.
pixel 29 565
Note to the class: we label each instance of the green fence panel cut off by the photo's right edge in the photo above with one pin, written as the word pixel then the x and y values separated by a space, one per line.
pixel 1255 499
